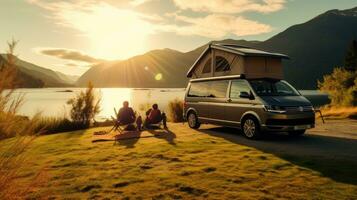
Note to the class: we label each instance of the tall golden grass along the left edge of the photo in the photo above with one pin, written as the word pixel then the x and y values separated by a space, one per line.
pixel 13 158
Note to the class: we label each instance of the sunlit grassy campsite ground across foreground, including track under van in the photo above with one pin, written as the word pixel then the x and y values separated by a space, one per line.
pixel 210 163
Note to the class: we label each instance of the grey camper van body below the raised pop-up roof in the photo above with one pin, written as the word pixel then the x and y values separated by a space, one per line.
pixel 231 100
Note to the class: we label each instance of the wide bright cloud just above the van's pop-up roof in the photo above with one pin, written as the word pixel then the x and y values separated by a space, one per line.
pixel 217 26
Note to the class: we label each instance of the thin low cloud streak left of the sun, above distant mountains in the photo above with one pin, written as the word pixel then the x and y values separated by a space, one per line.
pixel 68 54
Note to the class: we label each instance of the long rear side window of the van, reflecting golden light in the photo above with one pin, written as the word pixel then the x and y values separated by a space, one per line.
pixel 214 89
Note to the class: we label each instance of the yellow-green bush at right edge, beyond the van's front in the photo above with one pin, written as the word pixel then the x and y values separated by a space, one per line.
pixel 341 86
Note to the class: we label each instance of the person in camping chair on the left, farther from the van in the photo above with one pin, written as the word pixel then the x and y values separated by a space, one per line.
pixel 125 117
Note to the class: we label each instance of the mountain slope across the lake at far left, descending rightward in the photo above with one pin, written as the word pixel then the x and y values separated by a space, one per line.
pixel 33 76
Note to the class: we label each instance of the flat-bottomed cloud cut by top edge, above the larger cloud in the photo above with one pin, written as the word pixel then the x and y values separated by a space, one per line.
pixel 231 6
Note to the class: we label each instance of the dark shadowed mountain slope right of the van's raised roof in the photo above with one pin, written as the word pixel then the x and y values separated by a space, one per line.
pixel 315 47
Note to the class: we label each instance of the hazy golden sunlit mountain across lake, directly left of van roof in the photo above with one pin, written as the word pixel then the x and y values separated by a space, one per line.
pixel 140 71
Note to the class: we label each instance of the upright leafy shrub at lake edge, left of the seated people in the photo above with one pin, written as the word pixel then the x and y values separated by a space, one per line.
pixel 84 107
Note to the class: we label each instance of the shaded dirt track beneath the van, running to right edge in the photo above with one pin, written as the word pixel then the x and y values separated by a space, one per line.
pixel 334 139
